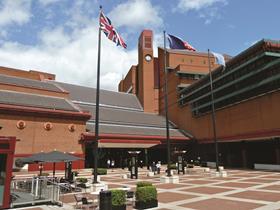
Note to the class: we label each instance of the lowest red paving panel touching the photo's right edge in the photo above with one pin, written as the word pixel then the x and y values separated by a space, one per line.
pixel 257 195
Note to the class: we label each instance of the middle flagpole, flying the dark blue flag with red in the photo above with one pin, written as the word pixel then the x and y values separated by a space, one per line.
pixel 166 108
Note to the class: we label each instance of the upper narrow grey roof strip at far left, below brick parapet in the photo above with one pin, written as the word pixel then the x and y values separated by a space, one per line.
pixel 30 83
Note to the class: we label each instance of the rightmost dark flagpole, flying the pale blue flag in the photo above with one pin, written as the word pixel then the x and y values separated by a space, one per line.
pixel 213 114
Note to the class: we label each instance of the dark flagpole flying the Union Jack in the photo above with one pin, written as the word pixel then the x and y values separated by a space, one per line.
pixel 95 148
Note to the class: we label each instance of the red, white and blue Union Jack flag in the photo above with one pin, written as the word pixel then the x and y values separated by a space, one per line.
pixel 109 30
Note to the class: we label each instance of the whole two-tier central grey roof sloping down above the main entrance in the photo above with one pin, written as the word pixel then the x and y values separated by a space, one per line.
pixel 120 113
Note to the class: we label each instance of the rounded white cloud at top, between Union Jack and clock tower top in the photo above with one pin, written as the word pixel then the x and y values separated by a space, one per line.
pixel 136 13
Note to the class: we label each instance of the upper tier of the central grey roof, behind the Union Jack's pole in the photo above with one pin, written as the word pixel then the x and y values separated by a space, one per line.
pixel 109 98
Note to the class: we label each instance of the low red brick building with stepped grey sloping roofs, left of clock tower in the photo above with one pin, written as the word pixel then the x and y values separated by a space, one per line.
pixel 47 115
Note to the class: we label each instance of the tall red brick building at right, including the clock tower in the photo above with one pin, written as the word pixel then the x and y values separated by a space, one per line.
pixel 246 98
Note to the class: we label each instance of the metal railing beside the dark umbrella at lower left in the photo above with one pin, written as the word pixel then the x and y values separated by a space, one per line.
pixel 31 191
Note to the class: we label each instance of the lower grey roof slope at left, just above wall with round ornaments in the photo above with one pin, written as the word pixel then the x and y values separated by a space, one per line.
pixel 38 101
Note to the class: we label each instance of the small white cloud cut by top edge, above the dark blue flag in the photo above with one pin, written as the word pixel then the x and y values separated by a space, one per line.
pixel 187 5
